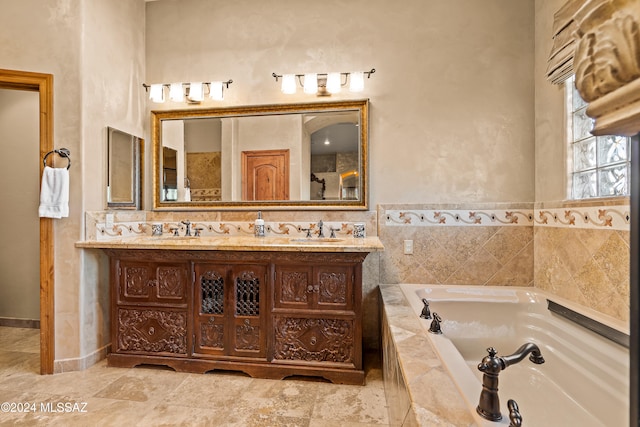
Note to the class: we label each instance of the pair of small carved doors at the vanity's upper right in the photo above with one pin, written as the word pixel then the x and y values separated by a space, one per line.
pixel 327 287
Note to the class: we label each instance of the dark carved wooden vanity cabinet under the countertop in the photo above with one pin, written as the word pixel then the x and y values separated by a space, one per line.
pixel 269 314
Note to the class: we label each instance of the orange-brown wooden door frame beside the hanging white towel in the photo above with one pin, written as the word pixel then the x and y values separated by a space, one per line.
pixel 43 84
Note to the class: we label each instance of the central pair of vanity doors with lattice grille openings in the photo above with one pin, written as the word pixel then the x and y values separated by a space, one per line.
pixel 229 309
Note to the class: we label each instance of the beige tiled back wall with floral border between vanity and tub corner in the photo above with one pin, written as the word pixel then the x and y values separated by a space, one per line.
pixel 454 244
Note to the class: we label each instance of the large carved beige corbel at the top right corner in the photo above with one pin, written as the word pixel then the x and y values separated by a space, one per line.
pixel 607 64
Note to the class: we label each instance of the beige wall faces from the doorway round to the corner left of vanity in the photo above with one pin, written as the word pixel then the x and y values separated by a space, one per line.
pixel 94 49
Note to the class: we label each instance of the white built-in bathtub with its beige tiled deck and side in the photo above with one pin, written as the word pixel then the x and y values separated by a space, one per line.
pixel 572 386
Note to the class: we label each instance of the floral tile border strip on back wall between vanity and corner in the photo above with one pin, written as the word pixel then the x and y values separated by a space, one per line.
pixel 486 217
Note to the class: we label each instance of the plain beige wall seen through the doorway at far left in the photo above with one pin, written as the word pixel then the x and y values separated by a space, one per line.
pixel 19 192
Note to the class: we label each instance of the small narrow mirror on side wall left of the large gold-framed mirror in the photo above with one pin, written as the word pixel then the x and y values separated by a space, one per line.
pixel 124 153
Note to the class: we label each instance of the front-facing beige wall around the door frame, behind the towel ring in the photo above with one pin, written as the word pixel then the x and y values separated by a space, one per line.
pixel 46 38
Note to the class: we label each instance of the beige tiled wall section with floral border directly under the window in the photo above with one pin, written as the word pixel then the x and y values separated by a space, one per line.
pixel 584 256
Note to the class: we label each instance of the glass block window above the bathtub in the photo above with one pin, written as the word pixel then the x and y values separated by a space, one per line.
pixel 600 165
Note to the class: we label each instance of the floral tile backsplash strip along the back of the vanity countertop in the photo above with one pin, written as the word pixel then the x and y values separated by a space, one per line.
pixel 214 228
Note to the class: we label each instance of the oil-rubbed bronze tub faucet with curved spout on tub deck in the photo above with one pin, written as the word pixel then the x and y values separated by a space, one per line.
pixel 490 366
